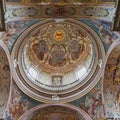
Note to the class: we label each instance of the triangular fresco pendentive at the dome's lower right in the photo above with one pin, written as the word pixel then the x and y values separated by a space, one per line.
pixel 92 103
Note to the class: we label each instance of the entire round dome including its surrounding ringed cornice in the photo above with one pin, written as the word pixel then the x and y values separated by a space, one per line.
pixel 57 58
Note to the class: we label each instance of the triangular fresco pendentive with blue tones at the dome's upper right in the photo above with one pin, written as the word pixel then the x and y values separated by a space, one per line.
pixel 103 28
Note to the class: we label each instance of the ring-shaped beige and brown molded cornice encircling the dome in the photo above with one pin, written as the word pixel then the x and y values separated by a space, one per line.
pixel 71 94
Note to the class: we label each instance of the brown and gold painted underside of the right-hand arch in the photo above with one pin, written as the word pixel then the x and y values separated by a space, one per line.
pixel 112 80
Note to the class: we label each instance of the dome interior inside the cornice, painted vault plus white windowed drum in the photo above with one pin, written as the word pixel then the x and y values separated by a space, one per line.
pixel 58 54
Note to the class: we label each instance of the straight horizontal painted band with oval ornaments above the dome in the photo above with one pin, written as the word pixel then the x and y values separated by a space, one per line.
pixel 20 12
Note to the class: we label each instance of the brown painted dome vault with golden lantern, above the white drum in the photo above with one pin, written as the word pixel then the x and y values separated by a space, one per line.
pixel 58 48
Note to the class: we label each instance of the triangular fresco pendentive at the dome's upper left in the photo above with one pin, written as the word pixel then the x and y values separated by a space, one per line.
pixel 14 30
